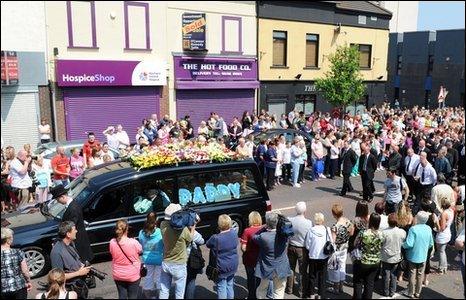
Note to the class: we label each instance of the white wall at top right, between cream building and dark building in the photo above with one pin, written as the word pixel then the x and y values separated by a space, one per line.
pixel 405 15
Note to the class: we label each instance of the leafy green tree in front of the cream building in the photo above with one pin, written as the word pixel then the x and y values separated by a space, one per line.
pixel 343 84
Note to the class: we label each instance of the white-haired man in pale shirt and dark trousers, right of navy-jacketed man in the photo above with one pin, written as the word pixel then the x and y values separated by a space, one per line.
pixel 296 250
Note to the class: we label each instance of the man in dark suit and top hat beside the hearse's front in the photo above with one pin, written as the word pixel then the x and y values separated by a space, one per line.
pixel 74 213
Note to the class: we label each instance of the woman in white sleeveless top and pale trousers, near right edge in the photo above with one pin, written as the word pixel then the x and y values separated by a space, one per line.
pixel 444 235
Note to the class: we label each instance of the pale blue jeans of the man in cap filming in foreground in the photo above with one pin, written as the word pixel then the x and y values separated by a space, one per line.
pixel 178 273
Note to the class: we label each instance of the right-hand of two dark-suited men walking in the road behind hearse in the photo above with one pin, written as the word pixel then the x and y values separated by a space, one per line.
pixel 367 167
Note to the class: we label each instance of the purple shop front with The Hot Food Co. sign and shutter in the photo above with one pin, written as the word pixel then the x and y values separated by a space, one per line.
pixel 214 84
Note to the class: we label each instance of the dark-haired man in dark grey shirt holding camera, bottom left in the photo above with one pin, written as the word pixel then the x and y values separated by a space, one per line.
pixel 65 256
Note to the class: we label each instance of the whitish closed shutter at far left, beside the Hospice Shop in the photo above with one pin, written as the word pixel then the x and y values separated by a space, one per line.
pixel 20 119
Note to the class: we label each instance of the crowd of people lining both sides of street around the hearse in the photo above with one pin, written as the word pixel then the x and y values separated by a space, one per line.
pixel 422 211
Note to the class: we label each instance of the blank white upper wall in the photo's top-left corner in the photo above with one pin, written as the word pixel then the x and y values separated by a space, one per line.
pixel 23 26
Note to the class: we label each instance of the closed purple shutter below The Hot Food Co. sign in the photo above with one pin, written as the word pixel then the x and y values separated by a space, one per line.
pixel 200 103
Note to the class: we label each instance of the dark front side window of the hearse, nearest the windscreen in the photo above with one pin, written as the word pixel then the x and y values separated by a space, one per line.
pixel 111 204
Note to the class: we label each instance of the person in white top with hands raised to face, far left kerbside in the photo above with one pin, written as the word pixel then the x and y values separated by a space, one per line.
pixel 20 180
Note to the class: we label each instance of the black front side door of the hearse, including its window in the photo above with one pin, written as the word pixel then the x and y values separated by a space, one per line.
pixel 102 213
